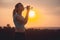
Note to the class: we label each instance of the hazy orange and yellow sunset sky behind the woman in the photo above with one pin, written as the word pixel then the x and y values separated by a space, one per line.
pixel 47 12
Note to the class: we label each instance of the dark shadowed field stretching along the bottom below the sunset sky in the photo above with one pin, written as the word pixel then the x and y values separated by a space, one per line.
pixel 8 33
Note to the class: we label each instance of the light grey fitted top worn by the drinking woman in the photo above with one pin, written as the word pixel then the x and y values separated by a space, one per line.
pixel 17 23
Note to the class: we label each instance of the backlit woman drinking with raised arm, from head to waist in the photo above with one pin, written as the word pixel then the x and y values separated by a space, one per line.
pixel 18 19
